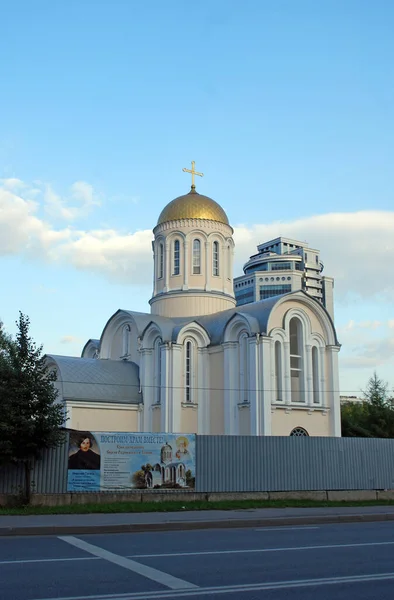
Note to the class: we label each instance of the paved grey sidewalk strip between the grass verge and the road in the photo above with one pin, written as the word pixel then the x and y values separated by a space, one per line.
pixel 187 520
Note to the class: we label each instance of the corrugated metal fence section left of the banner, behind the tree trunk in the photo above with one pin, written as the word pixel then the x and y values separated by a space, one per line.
pixel 49 475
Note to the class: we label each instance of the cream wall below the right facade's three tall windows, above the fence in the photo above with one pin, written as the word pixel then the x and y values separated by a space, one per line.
pixel 316 423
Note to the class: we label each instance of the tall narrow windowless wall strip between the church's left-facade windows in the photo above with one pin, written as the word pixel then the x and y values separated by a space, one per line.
pixel 216 397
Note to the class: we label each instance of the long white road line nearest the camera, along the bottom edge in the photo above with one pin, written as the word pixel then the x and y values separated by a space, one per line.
pixel 237 589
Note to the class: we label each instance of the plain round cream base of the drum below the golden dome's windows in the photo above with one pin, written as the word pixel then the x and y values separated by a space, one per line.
pixel 190 304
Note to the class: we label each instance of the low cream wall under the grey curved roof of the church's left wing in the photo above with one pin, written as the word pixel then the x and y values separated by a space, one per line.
pixel 104 419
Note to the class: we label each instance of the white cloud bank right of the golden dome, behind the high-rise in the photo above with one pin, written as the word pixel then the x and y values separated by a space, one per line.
pixel 356 248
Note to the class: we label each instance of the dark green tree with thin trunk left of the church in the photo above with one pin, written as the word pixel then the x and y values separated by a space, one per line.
pixel 30 417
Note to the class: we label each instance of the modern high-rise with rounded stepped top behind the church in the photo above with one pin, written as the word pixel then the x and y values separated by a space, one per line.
pixel 284 265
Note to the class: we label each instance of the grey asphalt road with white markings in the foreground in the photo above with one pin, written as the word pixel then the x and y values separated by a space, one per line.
pixel 346 561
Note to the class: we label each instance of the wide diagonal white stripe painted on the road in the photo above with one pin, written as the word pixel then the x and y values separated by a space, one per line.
pixel 149 572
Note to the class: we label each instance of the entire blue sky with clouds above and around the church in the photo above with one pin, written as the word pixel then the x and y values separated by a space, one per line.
pixel 286 107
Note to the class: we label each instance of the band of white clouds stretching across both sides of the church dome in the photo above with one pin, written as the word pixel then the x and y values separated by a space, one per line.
pixel 357 248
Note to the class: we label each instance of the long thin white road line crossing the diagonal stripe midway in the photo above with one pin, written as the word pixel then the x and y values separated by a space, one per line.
pixel 202 553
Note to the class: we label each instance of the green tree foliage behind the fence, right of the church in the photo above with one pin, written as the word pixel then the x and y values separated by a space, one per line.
pixel 374 417
